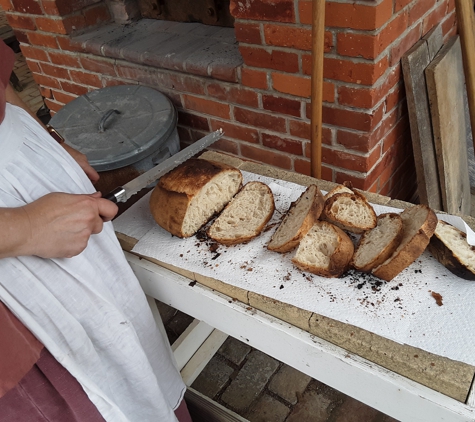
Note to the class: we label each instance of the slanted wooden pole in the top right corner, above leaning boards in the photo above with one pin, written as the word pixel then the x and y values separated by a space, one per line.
pixel 466 24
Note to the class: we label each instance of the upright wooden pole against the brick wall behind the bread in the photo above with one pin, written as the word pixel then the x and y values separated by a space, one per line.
pixel 318 48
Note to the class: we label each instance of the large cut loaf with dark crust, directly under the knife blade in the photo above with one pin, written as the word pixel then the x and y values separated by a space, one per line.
pixel 188 196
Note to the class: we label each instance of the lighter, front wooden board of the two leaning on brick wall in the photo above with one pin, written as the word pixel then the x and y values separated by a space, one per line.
pixel 446 85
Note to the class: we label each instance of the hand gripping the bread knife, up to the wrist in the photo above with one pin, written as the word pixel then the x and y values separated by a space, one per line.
pixel 61 223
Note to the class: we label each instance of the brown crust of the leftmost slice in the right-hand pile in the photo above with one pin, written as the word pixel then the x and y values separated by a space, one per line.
pixel 312 216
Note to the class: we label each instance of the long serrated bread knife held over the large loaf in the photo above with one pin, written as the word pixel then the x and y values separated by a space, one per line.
pixel 123 193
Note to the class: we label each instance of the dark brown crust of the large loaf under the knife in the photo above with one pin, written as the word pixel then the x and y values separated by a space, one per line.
pixel 174 191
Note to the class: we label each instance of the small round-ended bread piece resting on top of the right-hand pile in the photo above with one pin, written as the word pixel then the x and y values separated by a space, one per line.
pixel 349 211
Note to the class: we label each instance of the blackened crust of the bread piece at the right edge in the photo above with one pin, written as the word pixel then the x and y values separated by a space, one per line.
pixel 448 258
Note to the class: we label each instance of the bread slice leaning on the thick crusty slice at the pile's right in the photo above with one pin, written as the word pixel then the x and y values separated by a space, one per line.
pixel 378 244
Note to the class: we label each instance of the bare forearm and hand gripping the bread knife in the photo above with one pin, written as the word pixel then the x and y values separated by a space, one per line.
pixel 58 225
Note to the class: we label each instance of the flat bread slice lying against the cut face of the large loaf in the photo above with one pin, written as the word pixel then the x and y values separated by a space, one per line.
pixel 245 216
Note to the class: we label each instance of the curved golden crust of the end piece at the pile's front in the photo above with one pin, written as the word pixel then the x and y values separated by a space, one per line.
pixel 340 259
